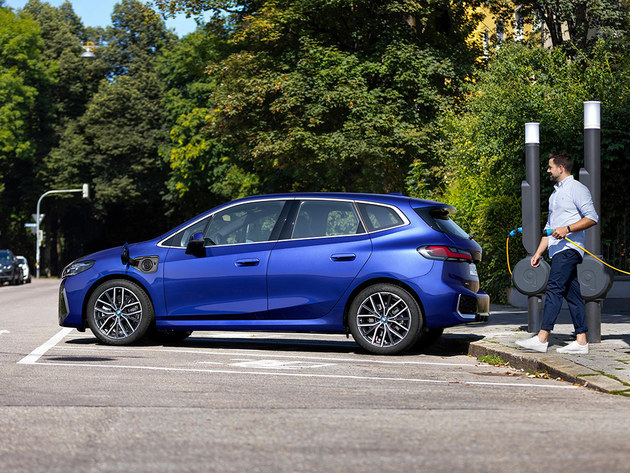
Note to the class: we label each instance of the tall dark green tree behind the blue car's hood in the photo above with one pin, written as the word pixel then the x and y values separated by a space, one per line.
pixel 114 145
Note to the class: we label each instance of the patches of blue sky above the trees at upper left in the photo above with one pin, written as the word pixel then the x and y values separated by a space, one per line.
pixel 99 12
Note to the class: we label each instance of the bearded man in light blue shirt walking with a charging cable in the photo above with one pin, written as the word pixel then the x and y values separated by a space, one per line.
pixel 571 211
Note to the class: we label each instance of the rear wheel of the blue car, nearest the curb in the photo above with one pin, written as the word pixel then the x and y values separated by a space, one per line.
pixel 385 319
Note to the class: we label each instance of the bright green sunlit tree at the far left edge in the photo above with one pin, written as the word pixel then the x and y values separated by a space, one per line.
pixel 25 78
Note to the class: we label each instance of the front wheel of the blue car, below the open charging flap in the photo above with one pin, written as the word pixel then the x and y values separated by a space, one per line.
pixel 119 312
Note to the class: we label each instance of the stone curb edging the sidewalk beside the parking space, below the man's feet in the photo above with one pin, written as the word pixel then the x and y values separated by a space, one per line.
pixel 554 366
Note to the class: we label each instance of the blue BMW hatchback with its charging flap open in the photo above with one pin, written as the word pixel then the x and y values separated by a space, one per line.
pixel 391 270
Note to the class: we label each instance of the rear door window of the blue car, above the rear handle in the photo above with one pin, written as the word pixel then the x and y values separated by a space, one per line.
pixel 320 218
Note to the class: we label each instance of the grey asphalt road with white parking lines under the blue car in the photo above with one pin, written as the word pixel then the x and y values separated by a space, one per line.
pixel 260 402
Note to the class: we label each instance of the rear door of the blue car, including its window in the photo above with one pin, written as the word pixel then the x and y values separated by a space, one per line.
pixel 321 255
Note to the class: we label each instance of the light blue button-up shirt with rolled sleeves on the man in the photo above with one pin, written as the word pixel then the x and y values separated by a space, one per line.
pixel 569 202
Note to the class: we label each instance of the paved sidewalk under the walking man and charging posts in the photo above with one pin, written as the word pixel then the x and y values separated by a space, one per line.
pixel 606 367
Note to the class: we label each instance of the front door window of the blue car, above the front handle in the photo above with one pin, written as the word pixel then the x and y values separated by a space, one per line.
pixel 244 223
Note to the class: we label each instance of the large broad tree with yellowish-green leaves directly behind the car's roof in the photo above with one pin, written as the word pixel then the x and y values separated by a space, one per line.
pixel 334 95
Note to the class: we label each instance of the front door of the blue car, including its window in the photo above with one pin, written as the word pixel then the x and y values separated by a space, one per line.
pixel 230 279
